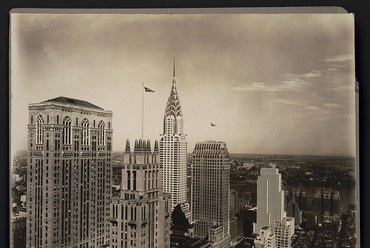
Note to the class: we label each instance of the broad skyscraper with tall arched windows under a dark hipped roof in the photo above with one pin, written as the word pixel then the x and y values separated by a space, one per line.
pixel 69 174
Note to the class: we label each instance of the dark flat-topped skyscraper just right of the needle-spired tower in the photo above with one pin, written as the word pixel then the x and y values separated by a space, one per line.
pixel 210 192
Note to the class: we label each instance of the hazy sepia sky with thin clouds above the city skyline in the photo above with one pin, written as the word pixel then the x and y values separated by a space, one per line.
pixel 272 84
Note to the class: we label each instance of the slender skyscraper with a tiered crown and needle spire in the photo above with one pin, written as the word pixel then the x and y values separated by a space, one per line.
pixel 173 151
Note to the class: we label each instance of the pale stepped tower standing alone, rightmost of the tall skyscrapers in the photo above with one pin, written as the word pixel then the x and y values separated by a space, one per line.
pixel 270 198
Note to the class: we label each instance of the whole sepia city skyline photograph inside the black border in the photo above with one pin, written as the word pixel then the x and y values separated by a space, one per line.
pixel 203 130
